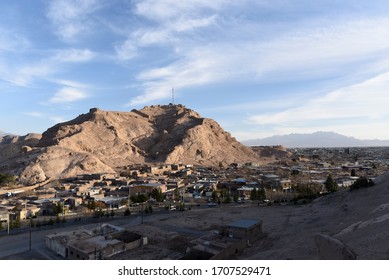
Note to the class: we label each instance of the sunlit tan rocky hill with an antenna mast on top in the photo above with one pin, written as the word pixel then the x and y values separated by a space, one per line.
pixel 101 141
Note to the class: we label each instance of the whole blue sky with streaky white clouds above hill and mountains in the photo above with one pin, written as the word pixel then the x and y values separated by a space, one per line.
pixel 258 67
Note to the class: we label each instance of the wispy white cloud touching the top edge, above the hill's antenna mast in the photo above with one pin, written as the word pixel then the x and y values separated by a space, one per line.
pixel 170 21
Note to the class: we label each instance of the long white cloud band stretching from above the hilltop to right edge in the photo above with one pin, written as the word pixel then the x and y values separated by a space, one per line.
pixel 302 54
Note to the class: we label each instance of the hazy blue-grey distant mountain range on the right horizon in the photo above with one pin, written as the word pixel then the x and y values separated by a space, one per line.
pixel 315 140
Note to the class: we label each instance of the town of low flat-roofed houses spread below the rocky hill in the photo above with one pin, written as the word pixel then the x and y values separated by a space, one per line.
pixel 146 188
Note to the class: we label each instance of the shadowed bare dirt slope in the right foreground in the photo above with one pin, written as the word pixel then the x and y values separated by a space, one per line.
pixel 359 218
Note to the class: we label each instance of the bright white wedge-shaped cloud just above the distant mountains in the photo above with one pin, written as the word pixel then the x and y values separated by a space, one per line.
pixel 343 110
